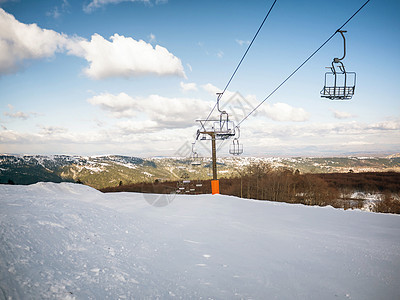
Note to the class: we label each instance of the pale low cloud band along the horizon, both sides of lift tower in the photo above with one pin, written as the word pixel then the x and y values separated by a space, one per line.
pixel 259 137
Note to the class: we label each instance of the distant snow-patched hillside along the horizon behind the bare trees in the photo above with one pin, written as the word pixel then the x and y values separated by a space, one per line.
pixel 111 170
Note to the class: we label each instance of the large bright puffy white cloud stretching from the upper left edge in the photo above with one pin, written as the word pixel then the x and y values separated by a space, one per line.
pixel 120 57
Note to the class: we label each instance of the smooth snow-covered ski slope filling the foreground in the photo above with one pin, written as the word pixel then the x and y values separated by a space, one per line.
pixel 70 241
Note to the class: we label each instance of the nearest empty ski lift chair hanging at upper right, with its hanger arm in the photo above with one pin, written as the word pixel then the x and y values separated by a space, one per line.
pixel 339 84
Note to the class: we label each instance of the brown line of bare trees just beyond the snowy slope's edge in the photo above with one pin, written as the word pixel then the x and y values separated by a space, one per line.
pixel 261 181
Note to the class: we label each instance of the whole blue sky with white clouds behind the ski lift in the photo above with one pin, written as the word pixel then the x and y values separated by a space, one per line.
pixel 131 77
